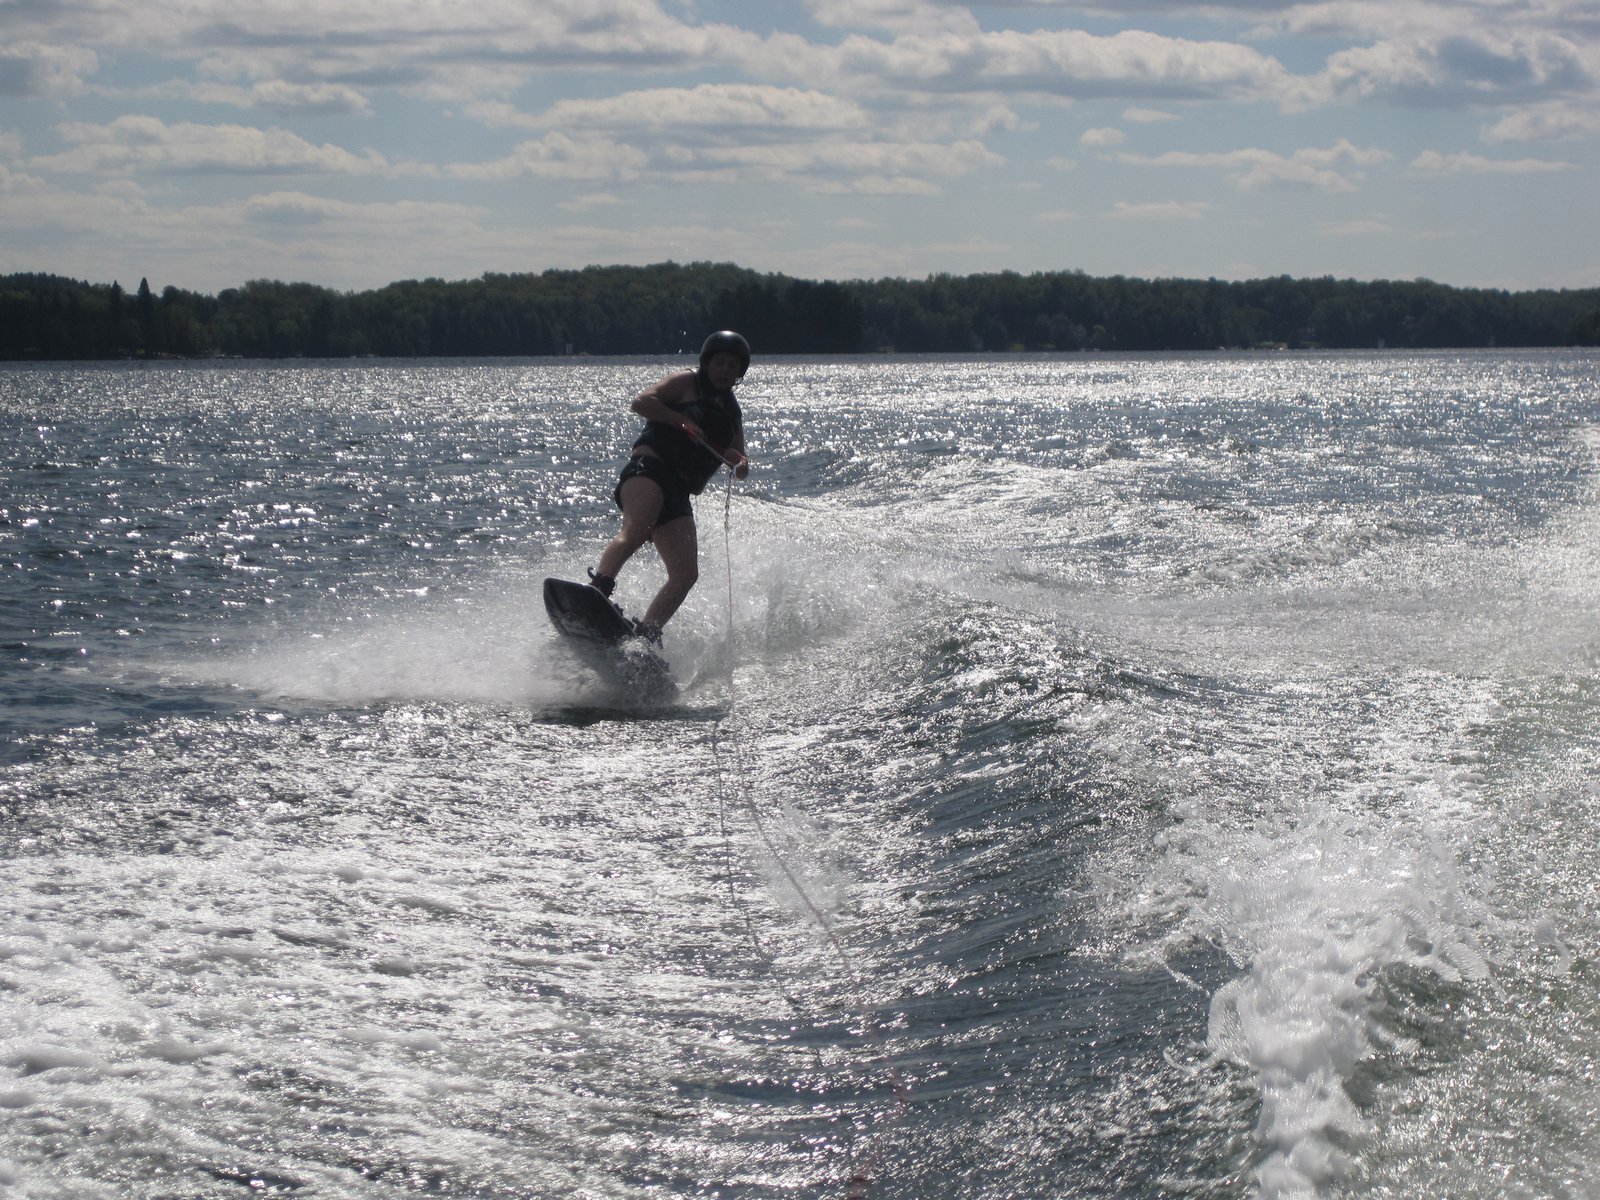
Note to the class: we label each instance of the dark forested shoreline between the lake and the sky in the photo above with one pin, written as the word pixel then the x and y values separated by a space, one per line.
pixel 668 308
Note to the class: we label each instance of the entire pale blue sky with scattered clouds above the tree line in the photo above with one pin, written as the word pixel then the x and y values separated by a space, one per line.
pixel 354 143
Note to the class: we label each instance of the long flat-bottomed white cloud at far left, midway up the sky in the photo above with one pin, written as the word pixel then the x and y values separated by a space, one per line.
pixel 132 145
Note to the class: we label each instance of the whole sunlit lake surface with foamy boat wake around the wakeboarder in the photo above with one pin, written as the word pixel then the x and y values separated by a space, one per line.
pixel 1090 778
